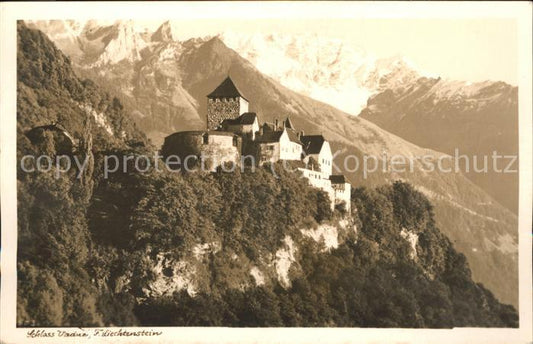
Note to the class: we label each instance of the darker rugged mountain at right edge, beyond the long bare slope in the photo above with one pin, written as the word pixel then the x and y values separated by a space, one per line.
pixel 477 119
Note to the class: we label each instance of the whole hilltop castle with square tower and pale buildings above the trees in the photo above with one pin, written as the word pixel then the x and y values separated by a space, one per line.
pixel 233 133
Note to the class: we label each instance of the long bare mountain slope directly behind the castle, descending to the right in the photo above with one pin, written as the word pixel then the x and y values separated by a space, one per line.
pixel 164 88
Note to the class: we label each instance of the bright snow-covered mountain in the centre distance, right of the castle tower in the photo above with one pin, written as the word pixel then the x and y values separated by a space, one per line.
pixel 325 69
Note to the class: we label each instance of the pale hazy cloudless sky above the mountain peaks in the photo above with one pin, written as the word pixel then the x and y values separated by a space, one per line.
pixel 462 49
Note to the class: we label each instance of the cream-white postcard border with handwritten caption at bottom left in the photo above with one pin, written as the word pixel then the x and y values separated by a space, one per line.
pixel 11 12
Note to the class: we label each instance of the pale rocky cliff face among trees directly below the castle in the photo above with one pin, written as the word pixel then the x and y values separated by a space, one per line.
pixel 193 272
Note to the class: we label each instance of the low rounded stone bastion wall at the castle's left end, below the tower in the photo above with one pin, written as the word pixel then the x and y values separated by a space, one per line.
pixel 215 148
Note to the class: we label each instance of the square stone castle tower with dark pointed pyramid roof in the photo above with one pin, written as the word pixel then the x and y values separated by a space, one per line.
pixel 225 102
